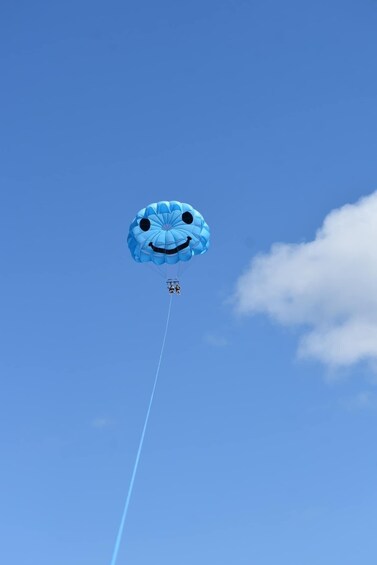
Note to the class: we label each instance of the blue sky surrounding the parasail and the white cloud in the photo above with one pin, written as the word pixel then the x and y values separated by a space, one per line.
pixel 263 116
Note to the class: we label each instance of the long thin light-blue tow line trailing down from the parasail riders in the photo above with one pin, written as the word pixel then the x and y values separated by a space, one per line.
pixel 130 488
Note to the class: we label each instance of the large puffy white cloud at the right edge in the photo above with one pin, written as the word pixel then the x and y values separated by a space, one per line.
pixel 328 286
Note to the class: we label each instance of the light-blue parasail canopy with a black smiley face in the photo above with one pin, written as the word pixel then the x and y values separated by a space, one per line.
pixel 168 232
